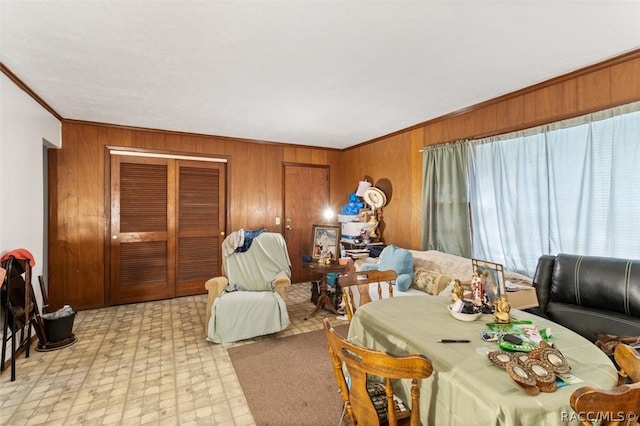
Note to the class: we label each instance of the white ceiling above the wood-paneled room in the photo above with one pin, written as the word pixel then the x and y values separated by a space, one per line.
pixel 320 73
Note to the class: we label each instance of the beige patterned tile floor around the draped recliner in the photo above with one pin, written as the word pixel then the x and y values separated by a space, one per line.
pixel 145 363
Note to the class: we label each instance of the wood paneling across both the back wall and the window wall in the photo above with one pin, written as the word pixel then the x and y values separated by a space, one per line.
pixel 77 186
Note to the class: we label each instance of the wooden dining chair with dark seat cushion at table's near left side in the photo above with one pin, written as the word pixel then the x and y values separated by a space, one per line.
pixel 365 399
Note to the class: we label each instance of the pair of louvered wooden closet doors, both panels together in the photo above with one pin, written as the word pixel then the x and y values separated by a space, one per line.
pixel 167 220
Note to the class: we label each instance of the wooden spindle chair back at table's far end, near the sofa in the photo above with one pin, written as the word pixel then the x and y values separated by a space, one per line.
pixel 361 280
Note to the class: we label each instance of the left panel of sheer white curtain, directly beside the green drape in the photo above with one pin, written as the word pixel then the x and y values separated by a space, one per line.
pixel 507 196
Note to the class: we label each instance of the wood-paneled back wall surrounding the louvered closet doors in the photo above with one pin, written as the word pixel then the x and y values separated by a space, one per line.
pixel 77 188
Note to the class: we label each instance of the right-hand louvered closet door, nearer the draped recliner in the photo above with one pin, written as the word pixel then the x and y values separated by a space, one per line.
pixel 200 223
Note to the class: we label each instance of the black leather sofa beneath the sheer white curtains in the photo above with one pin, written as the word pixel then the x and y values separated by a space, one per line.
pixel 589 295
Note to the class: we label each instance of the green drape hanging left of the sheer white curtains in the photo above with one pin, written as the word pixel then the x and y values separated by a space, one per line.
pixel 445 207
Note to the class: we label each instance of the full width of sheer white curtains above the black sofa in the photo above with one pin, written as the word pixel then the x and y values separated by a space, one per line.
pixel 571 187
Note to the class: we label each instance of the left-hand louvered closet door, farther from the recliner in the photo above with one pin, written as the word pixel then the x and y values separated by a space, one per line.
pixel 142 251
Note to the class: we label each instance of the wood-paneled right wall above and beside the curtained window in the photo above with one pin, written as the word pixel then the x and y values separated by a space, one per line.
pixel 398 158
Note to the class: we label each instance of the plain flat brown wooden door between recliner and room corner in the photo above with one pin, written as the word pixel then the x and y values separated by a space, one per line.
pixel 306 197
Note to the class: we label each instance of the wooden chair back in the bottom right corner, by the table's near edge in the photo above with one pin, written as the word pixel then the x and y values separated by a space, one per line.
pixel 607 407
